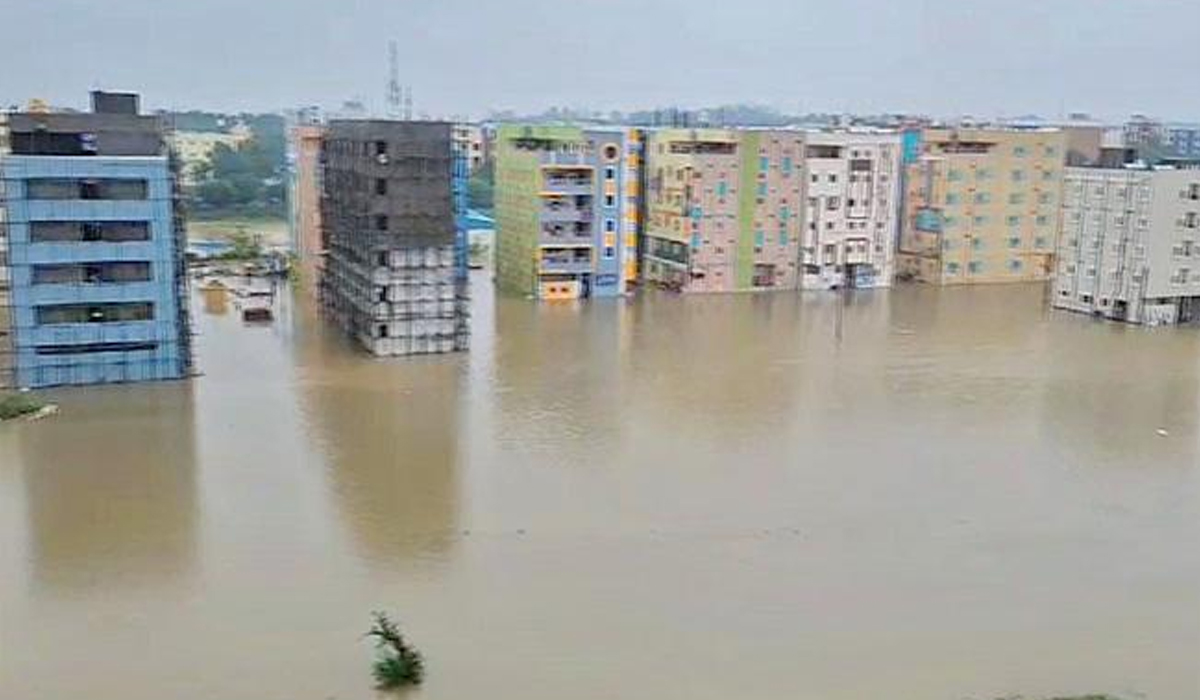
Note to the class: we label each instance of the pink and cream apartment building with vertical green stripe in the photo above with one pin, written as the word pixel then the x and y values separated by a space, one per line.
pixel 724 210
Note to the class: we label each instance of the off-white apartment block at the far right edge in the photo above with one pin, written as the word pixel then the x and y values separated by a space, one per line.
pixel 1131 246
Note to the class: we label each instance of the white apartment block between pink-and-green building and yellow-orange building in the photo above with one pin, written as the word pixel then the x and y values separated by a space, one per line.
pixel 853 205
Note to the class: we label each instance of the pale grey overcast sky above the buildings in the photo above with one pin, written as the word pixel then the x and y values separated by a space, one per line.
pixel 467 57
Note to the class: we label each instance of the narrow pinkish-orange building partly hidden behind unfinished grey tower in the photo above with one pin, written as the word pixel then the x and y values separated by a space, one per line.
pixel 304 201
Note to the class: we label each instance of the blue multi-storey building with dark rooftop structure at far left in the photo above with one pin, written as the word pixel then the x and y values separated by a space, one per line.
pixel 97 248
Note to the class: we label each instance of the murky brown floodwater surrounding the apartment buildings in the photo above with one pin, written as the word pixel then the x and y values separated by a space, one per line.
pixel 709 498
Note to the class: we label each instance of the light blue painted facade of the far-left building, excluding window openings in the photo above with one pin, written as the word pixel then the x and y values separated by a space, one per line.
pixel 167 361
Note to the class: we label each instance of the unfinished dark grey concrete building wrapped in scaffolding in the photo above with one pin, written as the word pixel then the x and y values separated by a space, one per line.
pixel 395 274
